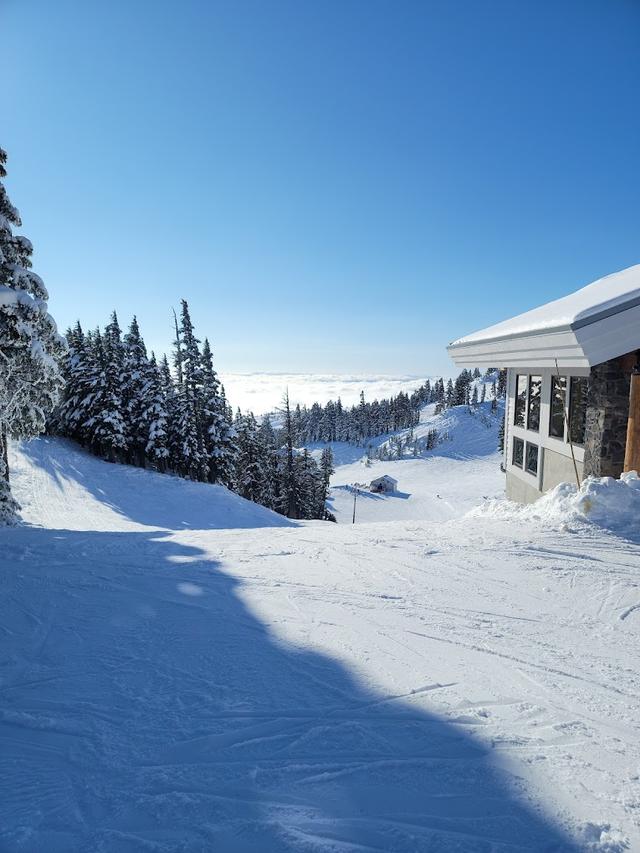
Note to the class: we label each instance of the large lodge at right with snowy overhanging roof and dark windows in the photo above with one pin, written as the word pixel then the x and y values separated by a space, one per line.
pixel 572 373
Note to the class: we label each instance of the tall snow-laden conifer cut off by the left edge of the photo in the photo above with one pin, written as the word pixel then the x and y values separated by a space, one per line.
pixel 30 347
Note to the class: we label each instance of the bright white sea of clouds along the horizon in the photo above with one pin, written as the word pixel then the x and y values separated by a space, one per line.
pixel 262 392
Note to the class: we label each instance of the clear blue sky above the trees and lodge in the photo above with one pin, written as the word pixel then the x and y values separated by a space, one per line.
pixel 334 186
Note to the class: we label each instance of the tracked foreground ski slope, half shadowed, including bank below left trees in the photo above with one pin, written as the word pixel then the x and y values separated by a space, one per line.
pixel 468 685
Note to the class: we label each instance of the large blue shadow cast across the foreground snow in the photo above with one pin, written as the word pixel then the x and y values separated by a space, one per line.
pixel 146 708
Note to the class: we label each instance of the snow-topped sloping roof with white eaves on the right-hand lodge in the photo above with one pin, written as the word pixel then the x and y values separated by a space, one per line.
pixel 596 323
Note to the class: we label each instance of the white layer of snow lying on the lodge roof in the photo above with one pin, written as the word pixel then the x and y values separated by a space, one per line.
pixel 601 295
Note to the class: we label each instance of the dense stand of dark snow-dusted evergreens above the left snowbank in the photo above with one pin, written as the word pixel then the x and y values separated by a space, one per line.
pixel 123 404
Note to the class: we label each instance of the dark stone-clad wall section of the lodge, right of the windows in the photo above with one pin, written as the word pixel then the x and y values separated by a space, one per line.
pixel 607 414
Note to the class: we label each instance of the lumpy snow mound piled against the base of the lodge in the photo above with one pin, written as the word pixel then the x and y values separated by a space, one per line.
pixel 604 501
